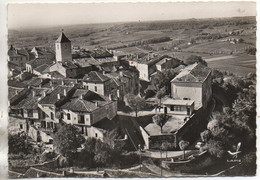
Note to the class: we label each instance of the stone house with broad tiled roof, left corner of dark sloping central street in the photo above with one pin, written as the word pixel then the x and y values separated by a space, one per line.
pixel 86 108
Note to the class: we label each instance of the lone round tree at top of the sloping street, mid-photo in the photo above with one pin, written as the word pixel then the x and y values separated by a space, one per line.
pixel 135 102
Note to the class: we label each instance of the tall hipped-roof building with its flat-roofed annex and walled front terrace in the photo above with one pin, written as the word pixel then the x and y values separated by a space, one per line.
pixel 190 92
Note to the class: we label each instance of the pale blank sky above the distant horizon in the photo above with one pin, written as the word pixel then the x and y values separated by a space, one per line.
pixel 45 15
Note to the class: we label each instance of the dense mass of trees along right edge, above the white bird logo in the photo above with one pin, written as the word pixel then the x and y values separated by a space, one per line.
pixel 236 123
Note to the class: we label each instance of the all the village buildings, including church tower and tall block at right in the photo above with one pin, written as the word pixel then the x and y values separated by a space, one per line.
pixel 80 87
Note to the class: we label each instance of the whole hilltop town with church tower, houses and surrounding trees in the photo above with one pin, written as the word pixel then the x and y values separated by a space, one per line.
pixel 104 112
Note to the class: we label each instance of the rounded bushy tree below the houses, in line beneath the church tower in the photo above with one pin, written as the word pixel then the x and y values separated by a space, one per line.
pixel 67 140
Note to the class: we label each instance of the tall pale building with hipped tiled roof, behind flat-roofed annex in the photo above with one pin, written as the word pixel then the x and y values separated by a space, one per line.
pixel 193 83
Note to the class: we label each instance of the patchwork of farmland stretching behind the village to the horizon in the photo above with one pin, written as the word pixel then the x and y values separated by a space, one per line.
pixel 208 38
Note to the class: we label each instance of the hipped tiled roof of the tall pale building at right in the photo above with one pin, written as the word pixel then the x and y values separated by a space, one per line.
pixel 193 73
